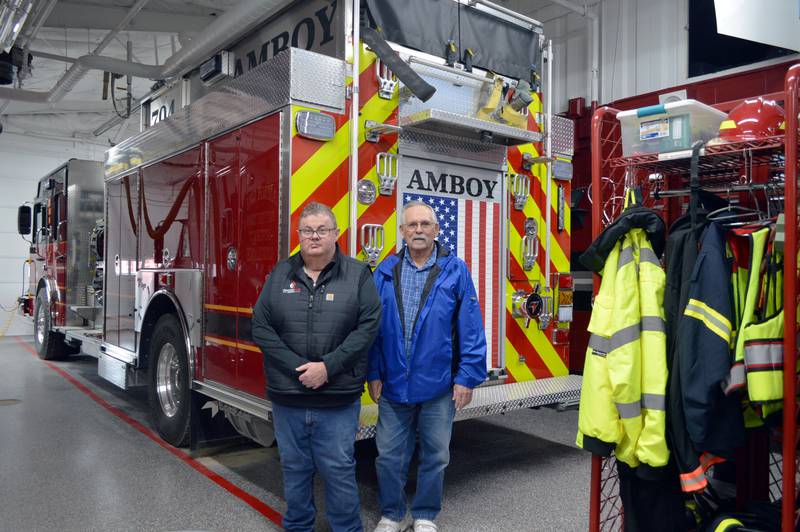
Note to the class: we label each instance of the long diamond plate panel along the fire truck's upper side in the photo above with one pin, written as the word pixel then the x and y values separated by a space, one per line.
pixel 294 74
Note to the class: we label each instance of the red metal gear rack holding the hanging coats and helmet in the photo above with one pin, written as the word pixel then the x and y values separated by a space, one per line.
pixel 720 165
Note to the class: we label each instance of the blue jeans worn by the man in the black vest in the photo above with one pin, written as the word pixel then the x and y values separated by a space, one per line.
pixel 320 439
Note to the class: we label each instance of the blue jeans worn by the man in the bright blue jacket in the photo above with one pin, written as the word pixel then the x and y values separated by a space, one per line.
pixel 395 437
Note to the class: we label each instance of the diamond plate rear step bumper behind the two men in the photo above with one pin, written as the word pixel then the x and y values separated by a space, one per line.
pixel 498 399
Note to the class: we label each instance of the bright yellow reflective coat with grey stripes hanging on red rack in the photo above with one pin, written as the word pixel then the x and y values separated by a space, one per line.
pixel 622 405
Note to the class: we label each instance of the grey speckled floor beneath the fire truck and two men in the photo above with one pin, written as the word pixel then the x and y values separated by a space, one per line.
pixel 69 462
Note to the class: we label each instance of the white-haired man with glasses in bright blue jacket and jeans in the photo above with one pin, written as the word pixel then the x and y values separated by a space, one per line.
pixel 429 354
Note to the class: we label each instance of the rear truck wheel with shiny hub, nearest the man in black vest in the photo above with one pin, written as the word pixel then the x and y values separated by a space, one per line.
pixel 169 381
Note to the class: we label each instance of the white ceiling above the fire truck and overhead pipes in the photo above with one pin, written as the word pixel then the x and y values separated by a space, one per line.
pixel 75 28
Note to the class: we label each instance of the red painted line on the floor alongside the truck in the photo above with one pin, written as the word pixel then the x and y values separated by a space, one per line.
pixel 249 499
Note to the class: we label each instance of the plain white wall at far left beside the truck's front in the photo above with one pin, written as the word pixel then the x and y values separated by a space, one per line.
pixel 23 161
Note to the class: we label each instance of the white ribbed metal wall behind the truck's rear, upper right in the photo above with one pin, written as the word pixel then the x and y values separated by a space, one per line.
pixel 643 47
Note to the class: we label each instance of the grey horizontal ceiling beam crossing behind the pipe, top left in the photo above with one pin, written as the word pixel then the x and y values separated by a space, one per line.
pixel 78 15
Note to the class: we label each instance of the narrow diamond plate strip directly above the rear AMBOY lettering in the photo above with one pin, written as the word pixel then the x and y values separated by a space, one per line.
pixel 428 145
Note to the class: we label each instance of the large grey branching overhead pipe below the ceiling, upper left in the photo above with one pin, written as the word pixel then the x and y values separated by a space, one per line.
pixel 232 24
